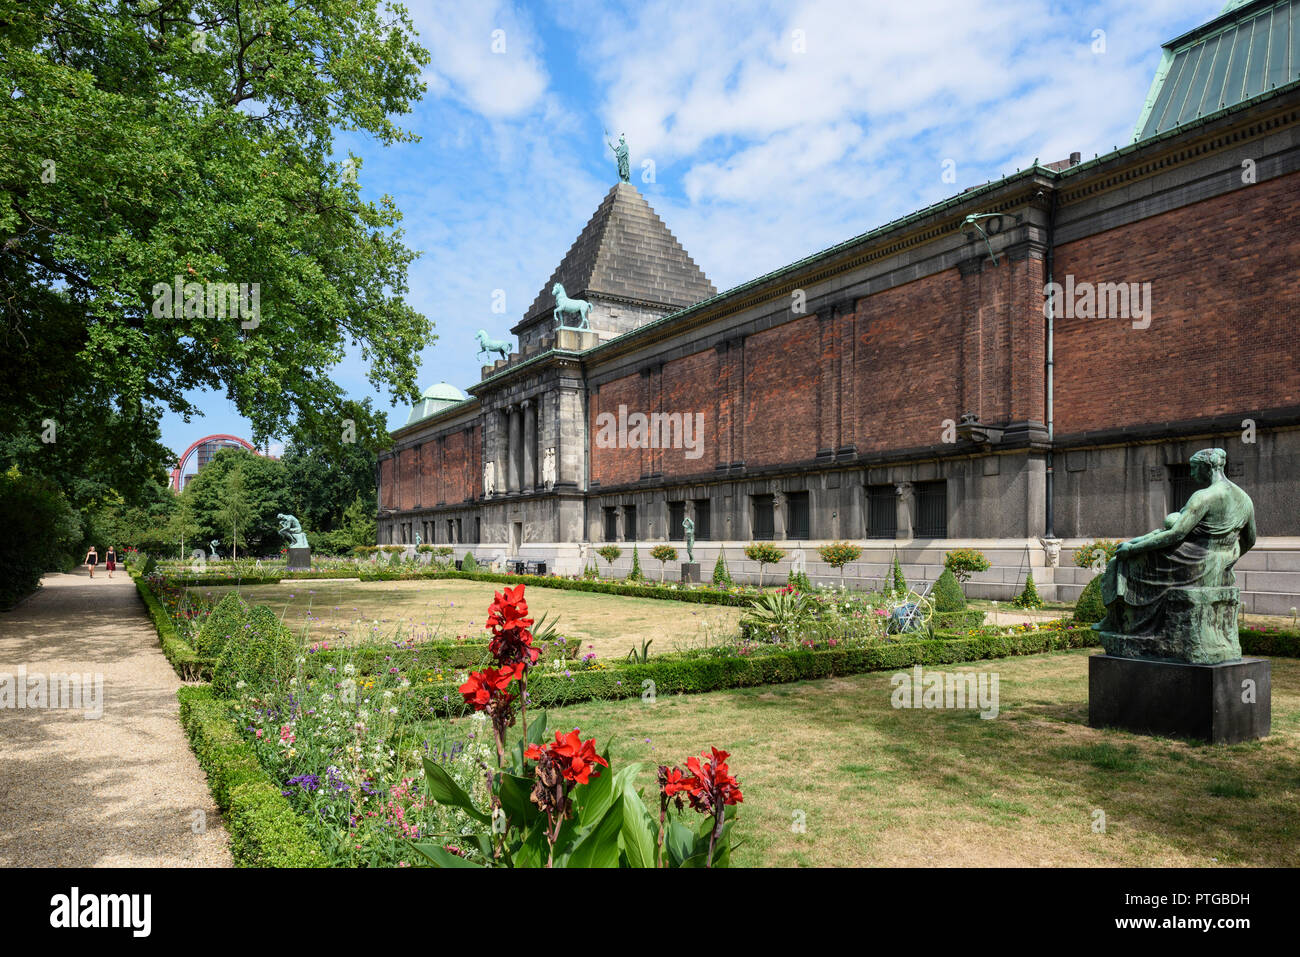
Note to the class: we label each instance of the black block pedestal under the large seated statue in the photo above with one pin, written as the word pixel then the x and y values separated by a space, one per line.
pixel 1220 704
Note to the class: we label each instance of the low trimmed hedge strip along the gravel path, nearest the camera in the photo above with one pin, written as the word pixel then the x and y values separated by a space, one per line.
pixel 265 830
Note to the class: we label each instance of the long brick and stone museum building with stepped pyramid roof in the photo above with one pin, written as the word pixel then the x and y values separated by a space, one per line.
pixel 1022 367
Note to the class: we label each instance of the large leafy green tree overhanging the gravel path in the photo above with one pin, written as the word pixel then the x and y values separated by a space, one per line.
pixel 148 145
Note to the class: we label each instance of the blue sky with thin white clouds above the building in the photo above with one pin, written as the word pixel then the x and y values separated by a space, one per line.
pixel 774 129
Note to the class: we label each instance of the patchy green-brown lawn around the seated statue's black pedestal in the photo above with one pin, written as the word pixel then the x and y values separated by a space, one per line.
pixel 878 786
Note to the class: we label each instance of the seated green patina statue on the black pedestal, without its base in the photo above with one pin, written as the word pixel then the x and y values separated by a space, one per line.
pixel 1171 595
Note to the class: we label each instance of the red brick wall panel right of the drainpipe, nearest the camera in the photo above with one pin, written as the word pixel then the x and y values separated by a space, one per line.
pixel 1224 330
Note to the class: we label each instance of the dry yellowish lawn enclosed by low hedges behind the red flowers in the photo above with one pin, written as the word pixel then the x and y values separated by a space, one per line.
pixel 352 612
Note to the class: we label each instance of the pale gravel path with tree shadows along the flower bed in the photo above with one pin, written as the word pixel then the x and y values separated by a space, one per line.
pixel 116 793
